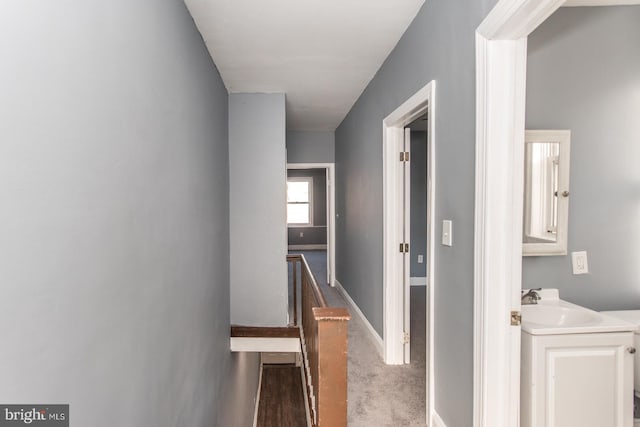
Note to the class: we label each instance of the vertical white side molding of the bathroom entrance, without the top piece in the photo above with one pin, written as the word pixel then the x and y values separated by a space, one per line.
pixel 496 343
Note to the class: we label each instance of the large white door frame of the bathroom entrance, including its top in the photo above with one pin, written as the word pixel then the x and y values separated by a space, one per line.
pixel 501 58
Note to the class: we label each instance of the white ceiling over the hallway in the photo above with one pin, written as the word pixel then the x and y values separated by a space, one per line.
pixel 321 53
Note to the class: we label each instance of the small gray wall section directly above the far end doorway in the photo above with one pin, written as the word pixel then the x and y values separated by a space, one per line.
pixel 310 147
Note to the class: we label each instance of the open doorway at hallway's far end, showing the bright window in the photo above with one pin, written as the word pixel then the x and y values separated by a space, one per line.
pixel 311 216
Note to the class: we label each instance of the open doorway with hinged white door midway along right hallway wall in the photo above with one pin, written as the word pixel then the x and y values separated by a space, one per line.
pixel 398 240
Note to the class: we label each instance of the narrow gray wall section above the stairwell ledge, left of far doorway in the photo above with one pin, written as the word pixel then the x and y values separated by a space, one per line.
pixel 257 170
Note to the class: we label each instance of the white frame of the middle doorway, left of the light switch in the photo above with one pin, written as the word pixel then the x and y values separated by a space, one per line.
pixel 393 303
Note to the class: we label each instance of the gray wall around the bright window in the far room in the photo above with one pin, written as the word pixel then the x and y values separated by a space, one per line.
pixel 317 234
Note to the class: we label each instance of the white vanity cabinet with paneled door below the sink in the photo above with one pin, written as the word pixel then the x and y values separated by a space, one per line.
pixel 577 380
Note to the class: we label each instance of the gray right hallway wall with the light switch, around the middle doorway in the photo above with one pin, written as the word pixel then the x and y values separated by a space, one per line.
pixel 440 45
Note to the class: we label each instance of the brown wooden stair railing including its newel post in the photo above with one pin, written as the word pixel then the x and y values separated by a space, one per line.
pixel 323 332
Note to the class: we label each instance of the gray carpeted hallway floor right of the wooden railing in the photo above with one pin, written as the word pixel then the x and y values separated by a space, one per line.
pixel 380 394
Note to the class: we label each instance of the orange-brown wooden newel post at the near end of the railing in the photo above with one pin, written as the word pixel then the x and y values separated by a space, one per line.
pixel 332 365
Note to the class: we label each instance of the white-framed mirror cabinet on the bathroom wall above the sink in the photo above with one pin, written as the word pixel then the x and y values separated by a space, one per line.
pixel 546 192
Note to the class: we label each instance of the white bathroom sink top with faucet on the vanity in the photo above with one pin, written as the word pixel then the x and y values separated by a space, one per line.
pixel 553 316
